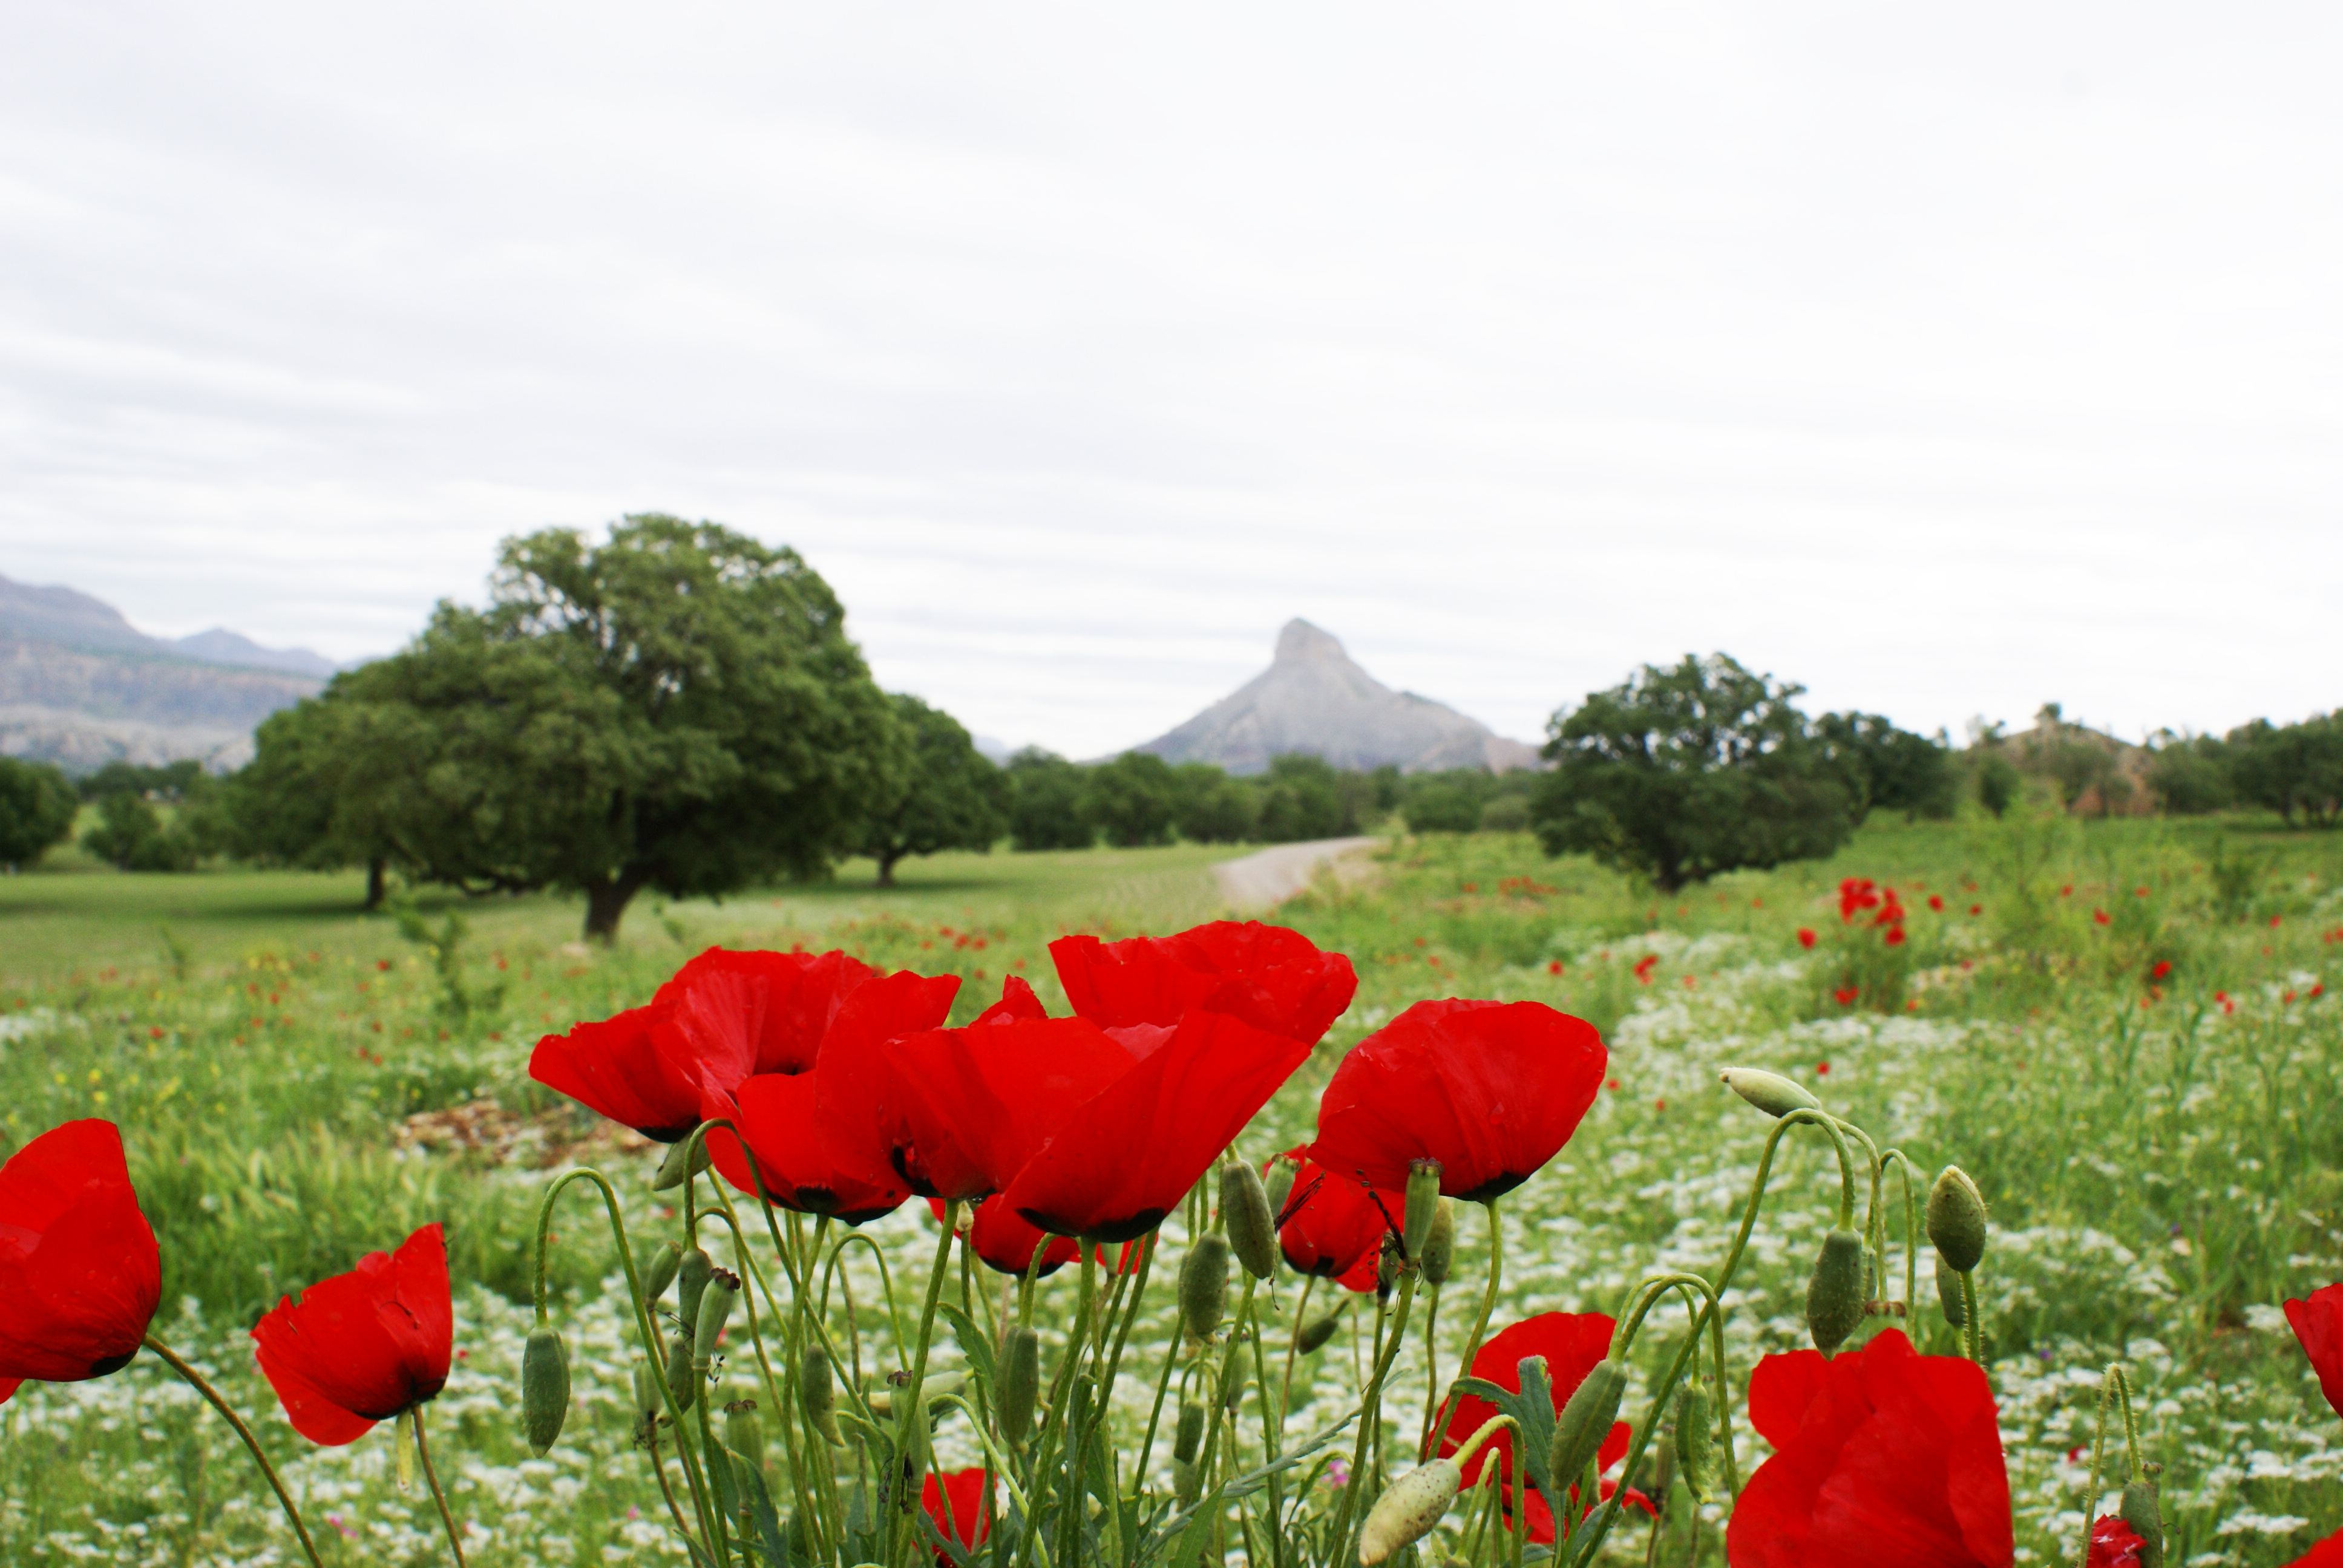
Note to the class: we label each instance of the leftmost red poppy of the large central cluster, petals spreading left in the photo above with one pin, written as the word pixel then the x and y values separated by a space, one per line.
pixel 720 1018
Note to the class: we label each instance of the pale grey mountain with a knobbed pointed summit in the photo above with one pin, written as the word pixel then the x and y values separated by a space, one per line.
pixel 1313 700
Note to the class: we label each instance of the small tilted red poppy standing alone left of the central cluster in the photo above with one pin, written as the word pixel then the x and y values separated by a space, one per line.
pixel 362 1347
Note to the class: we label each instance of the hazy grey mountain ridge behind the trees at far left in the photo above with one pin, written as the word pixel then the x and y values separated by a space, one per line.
pixel 83 688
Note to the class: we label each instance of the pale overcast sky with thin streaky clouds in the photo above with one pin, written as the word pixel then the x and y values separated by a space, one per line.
pixel 1946 362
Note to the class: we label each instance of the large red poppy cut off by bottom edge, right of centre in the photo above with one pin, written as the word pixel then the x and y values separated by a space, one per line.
pixel 1880 1445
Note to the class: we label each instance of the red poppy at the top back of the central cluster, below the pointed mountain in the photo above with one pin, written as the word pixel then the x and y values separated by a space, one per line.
pixel 1269 976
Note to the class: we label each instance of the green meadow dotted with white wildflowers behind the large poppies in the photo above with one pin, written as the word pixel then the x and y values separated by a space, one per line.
pixel 2124 1032
